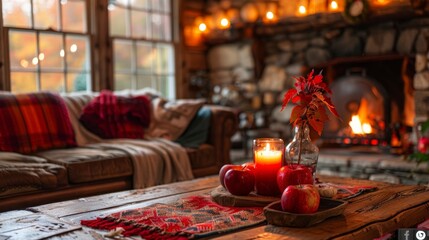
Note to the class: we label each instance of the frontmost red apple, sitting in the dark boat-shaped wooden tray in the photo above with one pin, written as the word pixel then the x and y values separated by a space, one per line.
pixel 303 198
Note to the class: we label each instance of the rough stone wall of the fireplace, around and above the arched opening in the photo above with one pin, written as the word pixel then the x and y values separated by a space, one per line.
pixel 231 66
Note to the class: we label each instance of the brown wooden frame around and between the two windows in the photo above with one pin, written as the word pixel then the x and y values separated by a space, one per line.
pixel 100 46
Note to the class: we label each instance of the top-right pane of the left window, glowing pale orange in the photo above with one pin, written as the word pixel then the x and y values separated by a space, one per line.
pixel 74 16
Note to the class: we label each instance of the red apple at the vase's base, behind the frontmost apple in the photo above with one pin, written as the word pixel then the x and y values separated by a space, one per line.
pixel 293 175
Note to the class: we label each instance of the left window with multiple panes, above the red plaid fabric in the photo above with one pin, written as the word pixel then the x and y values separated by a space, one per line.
pixel 48 45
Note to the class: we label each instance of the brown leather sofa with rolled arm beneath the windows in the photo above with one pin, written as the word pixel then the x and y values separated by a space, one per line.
pixel 92 168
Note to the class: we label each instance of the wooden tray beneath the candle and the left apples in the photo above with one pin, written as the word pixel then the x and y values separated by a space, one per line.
pixel 221 196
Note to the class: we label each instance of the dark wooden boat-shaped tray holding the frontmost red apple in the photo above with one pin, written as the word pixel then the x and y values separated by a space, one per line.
pixel 327 208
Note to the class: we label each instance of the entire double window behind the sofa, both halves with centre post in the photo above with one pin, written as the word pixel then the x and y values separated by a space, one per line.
pixel 49 45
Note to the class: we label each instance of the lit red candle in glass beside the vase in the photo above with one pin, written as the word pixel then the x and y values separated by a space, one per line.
pixel 268 157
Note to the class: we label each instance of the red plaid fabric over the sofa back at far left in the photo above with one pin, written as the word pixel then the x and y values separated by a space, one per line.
pixel 34 121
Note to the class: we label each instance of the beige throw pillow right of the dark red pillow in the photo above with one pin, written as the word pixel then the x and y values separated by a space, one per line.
pixel 171 118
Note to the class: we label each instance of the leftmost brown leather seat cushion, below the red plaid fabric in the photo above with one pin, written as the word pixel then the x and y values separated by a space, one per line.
pixel 21 173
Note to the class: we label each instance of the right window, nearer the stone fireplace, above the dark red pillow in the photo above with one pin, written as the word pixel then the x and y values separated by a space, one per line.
pixel 143 50
